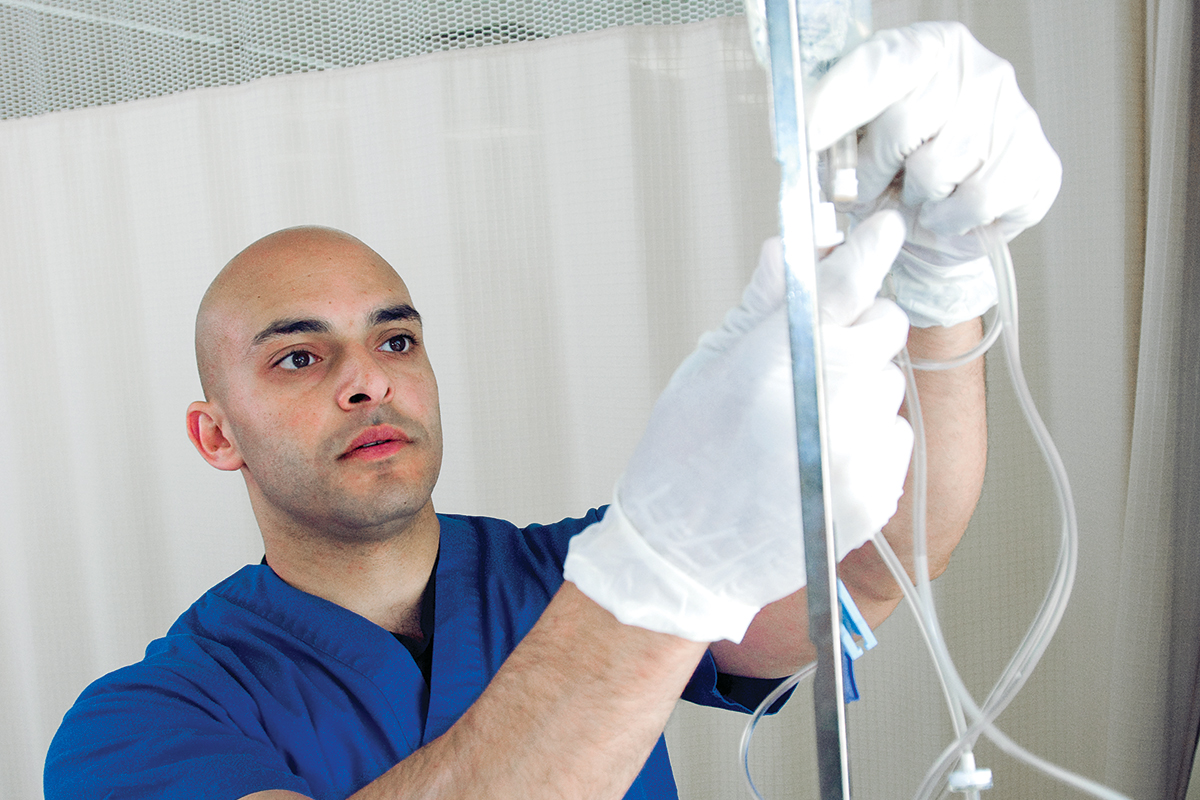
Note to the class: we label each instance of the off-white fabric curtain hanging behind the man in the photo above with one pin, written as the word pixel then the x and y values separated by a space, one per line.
pixel 569 215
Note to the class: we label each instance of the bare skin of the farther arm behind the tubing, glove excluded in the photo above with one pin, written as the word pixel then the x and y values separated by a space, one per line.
pixel 953 406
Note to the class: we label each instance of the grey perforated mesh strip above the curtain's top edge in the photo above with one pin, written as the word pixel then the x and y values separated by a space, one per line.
pixel 59 55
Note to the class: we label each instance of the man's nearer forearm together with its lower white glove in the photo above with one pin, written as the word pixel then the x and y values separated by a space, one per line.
pixel 580 703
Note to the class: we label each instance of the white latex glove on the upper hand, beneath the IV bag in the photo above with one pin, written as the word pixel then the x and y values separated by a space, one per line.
pixel 947 113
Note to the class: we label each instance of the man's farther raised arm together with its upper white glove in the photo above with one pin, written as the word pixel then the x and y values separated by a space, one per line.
pixel 951 140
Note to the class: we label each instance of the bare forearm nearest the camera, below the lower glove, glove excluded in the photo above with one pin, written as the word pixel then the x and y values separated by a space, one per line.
pixel 574 713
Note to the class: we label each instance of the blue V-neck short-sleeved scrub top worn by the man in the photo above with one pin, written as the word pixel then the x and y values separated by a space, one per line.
pixel 262 687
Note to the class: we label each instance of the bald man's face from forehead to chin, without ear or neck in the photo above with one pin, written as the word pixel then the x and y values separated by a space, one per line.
pixel 326 388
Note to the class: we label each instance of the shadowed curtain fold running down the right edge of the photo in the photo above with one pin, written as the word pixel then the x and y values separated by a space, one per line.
pixel 1156 580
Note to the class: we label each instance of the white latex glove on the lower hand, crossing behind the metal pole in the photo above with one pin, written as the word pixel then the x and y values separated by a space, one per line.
pixel 705 526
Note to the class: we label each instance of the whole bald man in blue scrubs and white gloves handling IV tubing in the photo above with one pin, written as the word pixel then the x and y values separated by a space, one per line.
pixel 386 651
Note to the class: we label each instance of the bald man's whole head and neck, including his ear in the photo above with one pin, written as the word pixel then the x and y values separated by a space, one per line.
pixel 341 490
